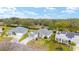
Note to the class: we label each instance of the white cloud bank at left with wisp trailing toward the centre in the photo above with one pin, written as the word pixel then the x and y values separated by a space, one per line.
pixel 13 12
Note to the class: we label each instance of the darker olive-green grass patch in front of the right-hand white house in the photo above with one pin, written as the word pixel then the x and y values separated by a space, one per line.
pixel 55 46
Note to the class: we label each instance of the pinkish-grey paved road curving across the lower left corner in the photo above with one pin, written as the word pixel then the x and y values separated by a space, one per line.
pixel 9 46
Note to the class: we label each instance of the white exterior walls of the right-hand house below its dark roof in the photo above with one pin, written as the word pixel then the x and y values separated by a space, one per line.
pixel 64 39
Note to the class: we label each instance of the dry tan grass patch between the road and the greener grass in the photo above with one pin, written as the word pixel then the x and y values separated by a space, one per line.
pixel 37 44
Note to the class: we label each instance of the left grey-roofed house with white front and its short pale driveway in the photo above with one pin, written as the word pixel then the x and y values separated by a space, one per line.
pixel 17 32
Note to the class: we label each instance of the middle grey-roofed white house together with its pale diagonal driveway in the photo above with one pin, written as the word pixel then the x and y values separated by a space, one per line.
pixel 36 34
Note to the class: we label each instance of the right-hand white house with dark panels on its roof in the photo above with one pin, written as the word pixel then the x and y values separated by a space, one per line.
pixel 66 37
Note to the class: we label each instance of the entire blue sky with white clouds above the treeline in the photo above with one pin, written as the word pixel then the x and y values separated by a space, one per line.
pixel 40 12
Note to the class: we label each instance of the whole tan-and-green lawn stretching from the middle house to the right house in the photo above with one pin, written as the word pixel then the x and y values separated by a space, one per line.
pixel 50 45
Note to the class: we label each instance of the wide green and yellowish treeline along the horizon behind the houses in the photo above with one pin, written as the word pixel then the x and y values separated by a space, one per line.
pixel 53 24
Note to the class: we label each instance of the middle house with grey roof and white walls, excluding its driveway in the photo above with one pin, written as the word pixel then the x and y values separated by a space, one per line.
pixel 41 33
